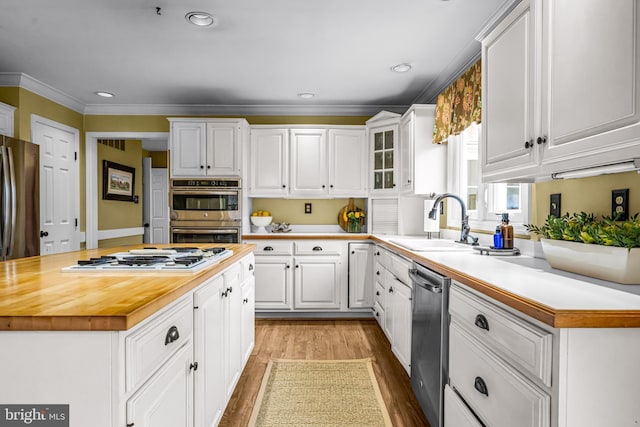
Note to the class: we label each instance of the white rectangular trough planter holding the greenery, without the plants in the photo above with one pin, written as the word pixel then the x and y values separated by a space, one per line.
pixel 611 263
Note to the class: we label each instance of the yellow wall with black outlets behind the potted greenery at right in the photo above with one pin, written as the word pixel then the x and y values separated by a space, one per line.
pixel 591 195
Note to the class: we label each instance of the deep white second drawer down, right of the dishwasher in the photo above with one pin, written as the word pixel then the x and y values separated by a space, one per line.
pixel 497 393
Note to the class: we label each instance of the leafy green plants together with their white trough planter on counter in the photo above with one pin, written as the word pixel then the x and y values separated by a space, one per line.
pixel 603 248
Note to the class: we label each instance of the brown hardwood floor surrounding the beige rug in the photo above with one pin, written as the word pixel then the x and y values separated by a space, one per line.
pixel 325 339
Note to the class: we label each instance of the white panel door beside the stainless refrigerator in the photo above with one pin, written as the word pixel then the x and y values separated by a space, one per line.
pixel 58 186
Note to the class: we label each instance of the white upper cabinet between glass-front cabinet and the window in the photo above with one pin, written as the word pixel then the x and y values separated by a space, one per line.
pixel 422 163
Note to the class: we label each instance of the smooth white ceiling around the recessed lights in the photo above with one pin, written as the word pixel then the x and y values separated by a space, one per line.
pixel 257 59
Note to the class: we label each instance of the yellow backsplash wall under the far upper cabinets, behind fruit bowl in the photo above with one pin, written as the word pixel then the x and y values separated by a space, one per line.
pixel 291 211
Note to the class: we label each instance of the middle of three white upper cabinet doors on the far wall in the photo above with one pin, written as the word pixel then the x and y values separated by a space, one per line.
pixel 309 168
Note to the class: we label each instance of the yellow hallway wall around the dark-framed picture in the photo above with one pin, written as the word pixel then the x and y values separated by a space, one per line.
pixel 114 214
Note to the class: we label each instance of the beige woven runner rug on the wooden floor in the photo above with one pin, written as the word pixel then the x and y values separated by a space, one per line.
pixel 305 393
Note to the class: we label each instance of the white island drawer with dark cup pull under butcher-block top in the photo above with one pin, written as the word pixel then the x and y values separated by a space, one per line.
pixel 149 347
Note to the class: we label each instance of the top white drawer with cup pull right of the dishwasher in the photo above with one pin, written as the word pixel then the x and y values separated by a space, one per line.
pixel 519 342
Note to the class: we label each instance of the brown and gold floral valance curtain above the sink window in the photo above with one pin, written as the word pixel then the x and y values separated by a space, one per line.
pixel 459 105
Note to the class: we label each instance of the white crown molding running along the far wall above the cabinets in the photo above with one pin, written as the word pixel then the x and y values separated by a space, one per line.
pixel 239 110
